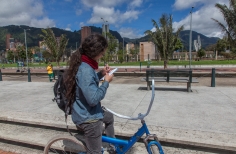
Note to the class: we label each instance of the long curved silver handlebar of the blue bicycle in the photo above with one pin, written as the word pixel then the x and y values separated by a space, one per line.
pixel 140 115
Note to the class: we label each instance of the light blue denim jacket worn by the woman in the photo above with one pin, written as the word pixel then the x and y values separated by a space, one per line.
pixel 87 105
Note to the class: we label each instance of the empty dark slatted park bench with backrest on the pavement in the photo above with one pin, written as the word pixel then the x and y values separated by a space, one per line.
pixel 182 76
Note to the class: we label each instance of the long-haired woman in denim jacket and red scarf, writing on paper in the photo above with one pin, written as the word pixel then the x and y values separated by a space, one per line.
pixel 85 94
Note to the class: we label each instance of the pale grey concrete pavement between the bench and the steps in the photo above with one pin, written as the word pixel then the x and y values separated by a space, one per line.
pixel 204 116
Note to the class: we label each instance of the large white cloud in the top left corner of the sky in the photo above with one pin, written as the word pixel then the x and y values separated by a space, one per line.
pixel 27 12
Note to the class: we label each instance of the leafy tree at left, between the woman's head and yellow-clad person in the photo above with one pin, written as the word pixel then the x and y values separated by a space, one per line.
pixel 55 45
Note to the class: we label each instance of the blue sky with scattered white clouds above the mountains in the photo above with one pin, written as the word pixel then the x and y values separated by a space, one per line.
pixel 130 18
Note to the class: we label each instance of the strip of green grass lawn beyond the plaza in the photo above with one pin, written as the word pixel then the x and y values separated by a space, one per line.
pixel 144 63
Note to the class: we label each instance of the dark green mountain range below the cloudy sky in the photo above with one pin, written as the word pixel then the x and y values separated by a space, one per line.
pixel 17 32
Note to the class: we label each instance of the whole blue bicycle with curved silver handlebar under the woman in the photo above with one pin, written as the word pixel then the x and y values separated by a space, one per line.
pixel 75 145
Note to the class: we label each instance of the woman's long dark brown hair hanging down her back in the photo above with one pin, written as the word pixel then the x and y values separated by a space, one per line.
pixel 92 46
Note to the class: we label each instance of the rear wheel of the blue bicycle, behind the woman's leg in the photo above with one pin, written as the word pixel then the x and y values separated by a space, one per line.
pixel 64 145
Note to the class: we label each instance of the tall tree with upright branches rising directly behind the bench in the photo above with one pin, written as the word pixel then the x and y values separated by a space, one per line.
pixel 164 38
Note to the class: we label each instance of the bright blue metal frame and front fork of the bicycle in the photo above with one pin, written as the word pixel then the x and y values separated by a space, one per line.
pixel 127 144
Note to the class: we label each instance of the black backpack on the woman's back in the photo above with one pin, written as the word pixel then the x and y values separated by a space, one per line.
pixel 60 92
